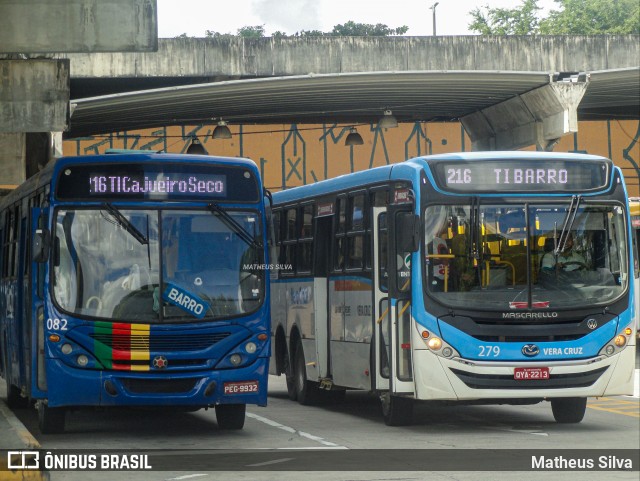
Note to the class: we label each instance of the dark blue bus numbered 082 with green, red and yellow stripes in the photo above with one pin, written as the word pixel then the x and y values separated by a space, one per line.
pixel 135 280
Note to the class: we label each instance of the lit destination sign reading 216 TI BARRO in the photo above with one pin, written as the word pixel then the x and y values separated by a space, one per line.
pixel 504 176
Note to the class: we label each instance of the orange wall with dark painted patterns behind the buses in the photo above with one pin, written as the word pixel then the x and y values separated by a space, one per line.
pixel 295 154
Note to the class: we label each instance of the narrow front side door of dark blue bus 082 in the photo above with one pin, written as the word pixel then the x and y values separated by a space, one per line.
pixel 41 246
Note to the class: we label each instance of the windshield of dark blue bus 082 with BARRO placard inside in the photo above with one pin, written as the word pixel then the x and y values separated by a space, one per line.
pixel 156 265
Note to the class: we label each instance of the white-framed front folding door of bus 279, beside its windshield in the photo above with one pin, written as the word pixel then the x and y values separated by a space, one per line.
pixel 392 304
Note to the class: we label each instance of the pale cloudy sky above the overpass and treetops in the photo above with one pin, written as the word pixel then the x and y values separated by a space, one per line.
pixel 195 17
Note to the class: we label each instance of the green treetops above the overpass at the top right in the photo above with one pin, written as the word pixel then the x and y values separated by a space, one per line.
pixel 573 17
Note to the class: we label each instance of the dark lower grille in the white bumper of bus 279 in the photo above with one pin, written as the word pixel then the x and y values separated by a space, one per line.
pixel 506 381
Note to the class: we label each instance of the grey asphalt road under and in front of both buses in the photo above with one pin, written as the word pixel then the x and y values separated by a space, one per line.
pixel 336 441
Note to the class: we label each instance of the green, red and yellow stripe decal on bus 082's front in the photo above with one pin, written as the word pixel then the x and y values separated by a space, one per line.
pixel 122 347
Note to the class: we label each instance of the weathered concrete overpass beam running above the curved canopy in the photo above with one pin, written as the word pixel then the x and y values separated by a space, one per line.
pixel 183 61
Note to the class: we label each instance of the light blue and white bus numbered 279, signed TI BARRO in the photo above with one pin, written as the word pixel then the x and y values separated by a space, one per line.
pixel 484 278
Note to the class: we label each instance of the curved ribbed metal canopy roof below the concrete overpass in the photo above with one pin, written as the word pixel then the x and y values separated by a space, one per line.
pixel 357 98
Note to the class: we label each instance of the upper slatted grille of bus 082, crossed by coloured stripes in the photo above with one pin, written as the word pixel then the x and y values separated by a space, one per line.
pixel 160 342
